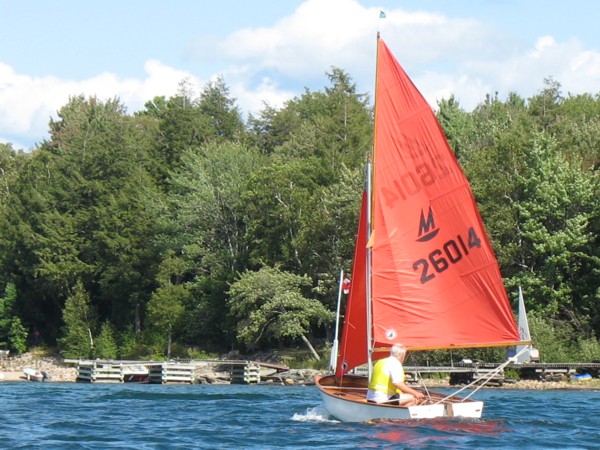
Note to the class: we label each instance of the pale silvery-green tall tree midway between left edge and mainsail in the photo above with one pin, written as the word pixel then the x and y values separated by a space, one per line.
pixel 206 224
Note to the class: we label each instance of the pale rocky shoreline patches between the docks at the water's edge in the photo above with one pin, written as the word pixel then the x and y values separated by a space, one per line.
pixel 214 373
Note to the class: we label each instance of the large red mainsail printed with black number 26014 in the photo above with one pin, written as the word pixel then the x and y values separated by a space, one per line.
pixel 435 279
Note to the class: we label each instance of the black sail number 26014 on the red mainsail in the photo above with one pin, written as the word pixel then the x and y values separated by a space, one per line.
pixel 443 258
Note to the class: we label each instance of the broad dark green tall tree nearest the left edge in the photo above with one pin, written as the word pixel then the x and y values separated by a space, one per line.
pixel 77 214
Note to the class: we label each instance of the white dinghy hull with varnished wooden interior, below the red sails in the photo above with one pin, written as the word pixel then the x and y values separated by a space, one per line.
pixel 347 402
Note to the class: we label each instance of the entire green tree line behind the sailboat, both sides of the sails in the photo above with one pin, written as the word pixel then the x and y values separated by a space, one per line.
pixel 187 225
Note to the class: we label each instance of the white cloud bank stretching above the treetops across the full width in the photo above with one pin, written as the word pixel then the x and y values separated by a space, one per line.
pixel 443 55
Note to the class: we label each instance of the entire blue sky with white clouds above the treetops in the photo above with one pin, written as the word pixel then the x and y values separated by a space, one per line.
pixel 270 51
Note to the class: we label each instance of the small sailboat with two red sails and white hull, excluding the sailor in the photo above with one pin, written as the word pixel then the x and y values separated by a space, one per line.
pixel 424 273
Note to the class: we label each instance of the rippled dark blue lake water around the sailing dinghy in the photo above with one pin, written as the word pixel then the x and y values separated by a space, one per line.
pixel 93 416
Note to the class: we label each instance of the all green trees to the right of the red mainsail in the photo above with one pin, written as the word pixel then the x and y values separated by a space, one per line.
pixel 540 205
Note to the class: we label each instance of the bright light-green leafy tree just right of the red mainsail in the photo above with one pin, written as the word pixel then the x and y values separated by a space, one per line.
pixel 554 232
